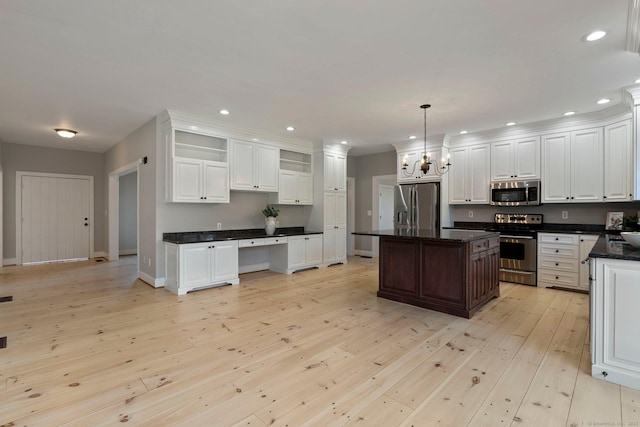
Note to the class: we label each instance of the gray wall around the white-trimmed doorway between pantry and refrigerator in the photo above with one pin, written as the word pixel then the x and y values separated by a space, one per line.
pixel 363 169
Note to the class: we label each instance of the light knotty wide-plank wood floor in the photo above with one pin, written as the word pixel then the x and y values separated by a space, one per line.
pixel 89 345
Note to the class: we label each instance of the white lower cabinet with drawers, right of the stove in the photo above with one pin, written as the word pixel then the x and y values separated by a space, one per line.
pixel 560 260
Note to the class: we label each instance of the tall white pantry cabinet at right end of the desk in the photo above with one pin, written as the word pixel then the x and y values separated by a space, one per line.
pixel 329 213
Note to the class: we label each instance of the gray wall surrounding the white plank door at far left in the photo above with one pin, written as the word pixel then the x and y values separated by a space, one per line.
pixel 29 158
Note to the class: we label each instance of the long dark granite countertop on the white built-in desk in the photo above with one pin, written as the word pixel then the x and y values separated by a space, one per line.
pixel 212 236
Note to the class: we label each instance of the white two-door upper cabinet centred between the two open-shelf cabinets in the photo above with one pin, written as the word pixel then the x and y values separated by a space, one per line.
pixel 254 166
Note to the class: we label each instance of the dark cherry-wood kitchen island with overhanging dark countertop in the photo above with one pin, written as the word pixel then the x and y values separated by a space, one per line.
pixel 451 271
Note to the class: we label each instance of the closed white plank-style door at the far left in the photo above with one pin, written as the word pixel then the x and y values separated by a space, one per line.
pixel 56 218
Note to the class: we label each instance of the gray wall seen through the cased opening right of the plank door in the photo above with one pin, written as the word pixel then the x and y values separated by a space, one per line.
pixel 128 206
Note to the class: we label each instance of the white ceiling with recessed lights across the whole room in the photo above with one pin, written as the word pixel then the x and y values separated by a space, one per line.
pixel 354 70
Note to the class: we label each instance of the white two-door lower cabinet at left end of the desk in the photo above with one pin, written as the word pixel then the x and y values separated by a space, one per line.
pixel 199 265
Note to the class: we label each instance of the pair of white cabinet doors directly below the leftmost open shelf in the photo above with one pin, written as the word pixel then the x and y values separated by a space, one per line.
pixel 200 181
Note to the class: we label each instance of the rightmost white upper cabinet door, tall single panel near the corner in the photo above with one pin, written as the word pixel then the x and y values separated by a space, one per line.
pixel 618 162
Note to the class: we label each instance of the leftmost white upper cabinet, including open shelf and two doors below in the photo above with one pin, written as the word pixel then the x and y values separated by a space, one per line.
pixel 199 172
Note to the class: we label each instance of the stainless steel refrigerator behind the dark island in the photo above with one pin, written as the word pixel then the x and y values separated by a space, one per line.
pixel 417 206
